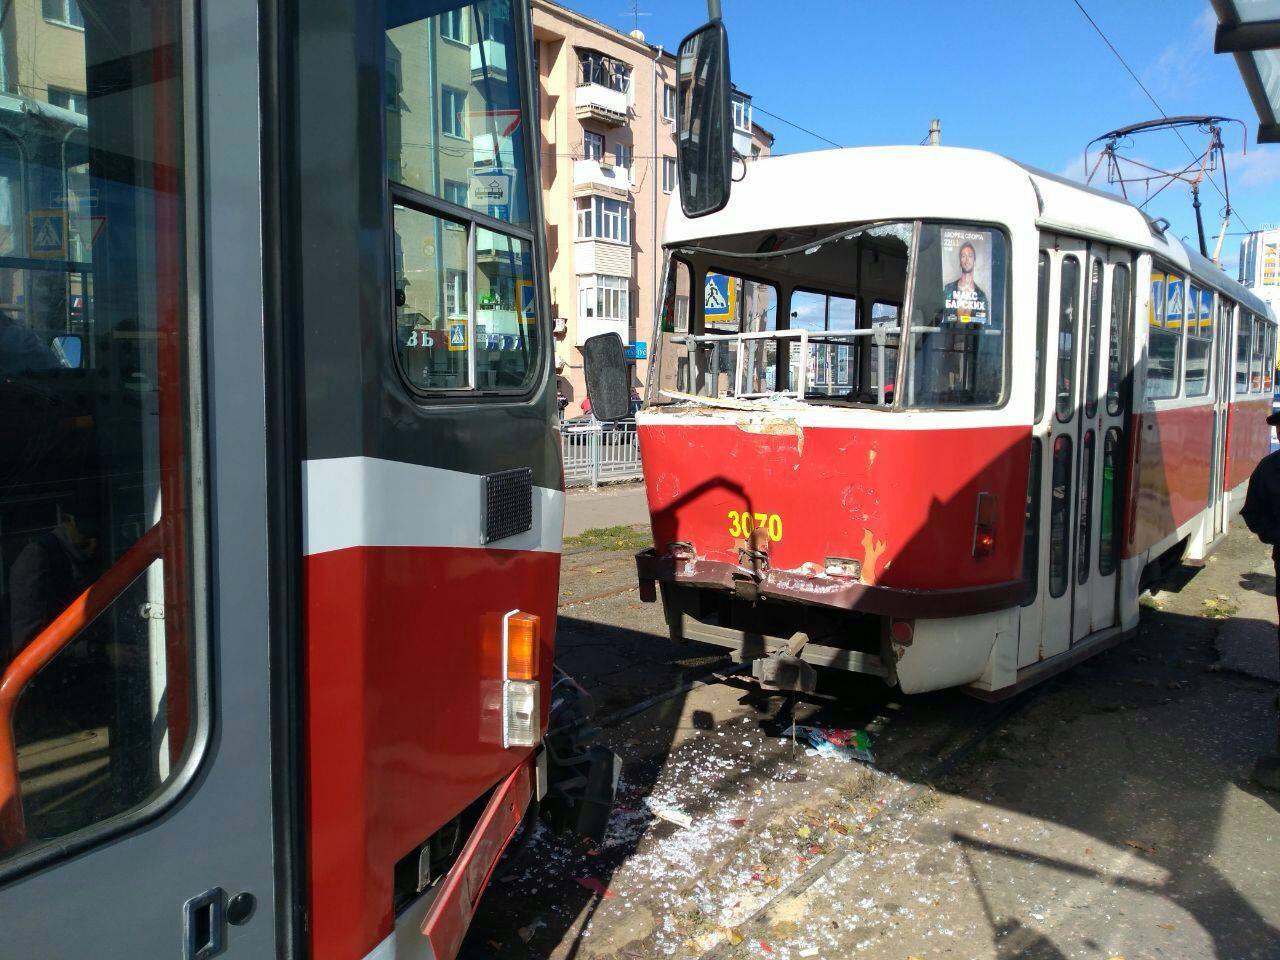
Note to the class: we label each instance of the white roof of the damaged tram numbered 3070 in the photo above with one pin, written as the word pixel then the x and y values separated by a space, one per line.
pixel 952 184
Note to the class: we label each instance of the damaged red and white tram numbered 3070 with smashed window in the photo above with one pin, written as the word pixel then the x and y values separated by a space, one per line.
pixel 932 415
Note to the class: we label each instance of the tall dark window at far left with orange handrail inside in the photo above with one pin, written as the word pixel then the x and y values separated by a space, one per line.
pixel 95 435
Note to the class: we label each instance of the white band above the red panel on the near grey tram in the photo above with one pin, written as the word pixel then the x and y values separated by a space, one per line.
pixel 371 502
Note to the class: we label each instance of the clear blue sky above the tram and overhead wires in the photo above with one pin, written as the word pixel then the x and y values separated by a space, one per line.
pixel 1028 79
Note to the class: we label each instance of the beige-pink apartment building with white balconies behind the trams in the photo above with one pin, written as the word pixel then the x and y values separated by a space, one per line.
pixel 609 159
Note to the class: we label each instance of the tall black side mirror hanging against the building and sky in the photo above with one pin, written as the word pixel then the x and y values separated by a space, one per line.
pixel 705 121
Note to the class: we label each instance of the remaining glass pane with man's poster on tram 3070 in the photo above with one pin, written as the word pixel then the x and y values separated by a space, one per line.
pixel 957 345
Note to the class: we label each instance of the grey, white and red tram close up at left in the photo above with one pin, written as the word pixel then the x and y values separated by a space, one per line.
pixel 281 500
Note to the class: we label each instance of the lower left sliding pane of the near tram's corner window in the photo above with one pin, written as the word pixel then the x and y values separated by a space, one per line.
pixel 433 323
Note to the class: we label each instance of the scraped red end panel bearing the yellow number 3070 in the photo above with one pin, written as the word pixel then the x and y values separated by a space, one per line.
pixel 835 491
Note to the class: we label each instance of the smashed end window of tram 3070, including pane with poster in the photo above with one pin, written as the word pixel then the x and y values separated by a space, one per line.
pixel 817 314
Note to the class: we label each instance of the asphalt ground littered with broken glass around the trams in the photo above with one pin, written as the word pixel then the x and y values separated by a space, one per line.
pixel 1107 813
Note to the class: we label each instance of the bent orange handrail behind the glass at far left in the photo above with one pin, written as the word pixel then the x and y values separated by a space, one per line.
pixel 48 644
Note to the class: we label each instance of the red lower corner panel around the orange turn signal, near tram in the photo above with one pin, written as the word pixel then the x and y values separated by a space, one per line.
pixel 404 660
